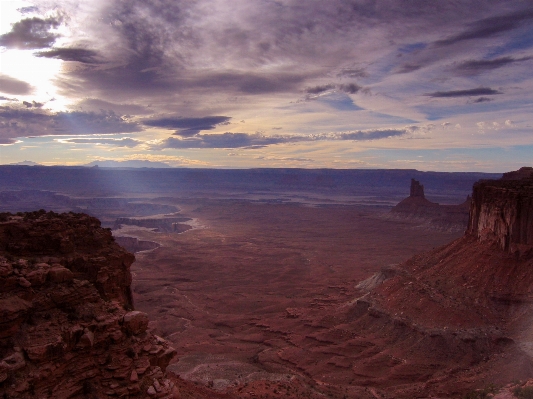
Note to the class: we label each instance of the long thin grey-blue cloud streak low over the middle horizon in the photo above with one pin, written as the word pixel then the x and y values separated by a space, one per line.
pixel 258 140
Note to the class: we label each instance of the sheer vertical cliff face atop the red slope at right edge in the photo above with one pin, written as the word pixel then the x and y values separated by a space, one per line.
pixel 502 210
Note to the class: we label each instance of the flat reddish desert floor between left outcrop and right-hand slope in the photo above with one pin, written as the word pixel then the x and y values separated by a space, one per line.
pixel 250 292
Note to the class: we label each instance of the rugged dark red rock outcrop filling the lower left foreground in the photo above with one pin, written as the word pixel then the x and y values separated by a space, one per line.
pixel 67 324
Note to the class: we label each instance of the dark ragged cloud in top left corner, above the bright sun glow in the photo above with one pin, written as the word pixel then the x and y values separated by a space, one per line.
pixel 31 33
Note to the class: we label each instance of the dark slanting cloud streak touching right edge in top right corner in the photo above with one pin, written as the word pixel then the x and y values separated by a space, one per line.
pixel 489 27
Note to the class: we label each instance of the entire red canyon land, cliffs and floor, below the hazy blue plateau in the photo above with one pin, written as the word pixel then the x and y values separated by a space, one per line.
pixel 272 299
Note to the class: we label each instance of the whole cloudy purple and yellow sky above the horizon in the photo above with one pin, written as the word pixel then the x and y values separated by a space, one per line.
pixel 428 85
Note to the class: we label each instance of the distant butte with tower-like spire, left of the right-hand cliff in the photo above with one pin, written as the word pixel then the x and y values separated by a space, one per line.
pixel 417 207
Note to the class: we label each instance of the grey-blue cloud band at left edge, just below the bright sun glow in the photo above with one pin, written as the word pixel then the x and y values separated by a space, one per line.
pixel 23 122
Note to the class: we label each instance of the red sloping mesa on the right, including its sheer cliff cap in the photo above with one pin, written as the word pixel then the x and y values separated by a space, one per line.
pixel 458 317
